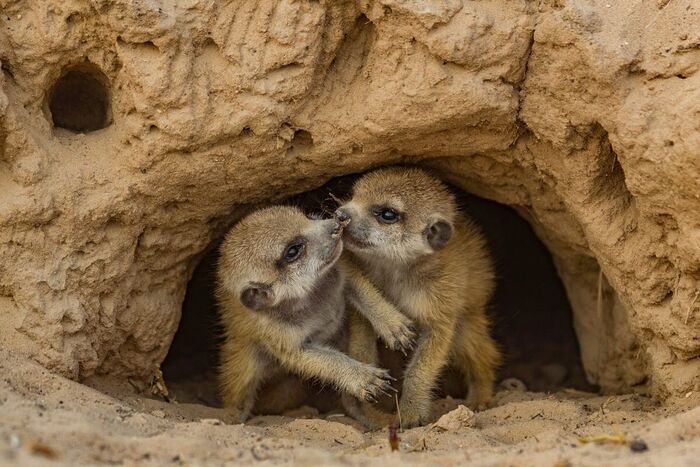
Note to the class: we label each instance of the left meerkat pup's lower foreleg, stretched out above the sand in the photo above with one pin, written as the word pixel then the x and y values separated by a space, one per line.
pixel 332 366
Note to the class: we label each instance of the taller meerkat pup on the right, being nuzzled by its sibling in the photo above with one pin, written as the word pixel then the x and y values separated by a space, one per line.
pixel 406 233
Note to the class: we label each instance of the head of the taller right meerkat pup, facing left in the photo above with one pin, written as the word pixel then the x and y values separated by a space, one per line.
pixel 398 214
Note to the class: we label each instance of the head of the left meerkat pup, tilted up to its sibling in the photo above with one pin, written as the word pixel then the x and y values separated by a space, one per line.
pixel 277 255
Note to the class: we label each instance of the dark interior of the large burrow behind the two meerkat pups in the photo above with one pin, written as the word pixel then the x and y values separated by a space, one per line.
pixel 531 315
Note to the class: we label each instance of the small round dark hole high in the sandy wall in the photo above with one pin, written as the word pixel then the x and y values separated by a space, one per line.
pixel 79 100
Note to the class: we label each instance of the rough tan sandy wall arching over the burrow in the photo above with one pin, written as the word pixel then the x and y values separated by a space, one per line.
pixel 584 115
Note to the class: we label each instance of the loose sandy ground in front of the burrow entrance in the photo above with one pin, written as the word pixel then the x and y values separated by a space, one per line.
pixel 48 420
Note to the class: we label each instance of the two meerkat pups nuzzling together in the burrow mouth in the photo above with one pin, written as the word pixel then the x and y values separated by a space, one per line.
pixel 416 273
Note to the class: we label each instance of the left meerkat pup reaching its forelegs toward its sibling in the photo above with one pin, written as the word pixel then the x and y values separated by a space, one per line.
pixel 282 307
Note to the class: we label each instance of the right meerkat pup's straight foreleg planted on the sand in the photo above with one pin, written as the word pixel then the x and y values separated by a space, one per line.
pixel 420 378
